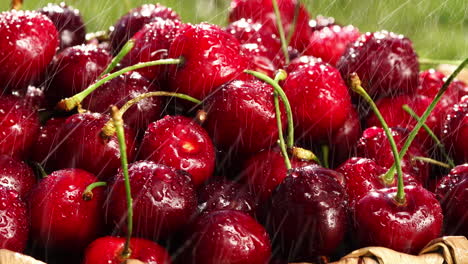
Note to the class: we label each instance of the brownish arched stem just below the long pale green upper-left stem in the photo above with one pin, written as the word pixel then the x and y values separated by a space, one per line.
pixel 109 129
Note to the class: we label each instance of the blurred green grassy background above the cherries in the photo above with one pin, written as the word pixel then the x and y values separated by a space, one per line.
pixel 438 28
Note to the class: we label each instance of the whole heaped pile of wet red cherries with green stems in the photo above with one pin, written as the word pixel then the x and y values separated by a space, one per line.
pixel 209 182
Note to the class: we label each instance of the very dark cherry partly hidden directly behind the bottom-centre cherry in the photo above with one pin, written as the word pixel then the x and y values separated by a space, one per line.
pixel 225 195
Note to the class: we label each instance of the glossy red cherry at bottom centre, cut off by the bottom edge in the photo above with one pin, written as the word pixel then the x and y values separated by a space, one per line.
pixel 234 237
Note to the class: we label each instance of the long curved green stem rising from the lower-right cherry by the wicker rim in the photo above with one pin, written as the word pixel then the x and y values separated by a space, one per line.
pixel 389 176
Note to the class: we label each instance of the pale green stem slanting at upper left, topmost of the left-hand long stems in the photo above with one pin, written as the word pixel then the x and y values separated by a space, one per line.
pixel 70 103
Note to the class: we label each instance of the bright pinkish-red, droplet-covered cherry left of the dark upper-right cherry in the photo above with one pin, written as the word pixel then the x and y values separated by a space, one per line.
pixel 329 43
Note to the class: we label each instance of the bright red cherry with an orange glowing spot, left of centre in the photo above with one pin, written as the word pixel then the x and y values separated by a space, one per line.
pixel 181 143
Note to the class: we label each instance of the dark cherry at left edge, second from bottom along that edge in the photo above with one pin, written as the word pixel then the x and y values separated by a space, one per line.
pixel 16 175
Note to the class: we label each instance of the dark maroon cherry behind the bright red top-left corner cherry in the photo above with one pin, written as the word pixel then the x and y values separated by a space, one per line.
pixel 69 23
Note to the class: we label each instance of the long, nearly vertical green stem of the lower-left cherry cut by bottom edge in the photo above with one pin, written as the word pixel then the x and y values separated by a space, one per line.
pixel 118 124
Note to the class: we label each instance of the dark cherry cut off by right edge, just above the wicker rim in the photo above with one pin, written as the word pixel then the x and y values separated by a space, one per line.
pixel 452 193
